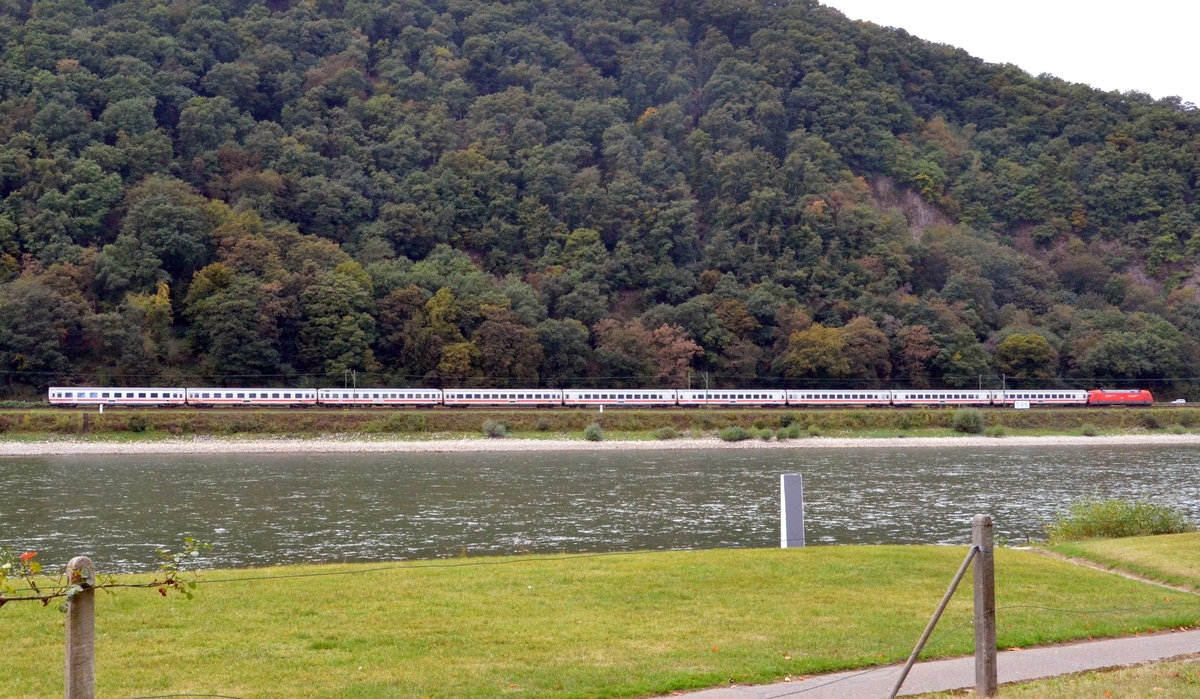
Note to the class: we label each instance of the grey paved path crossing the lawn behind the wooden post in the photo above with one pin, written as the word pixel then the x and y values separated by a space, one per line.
pixel 959 673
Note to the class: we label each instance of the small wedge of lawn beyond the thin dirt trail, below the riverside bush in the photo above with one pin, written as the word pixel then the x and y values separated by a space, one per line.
pixel 1173 559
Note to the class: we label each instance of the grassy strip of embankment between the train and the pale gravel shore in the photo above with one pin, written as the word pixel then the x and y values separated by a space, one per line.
pixel 617 425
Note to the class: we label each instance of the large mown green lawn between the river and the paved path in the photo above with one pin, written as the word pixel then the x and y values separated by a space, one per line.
pixel 561 626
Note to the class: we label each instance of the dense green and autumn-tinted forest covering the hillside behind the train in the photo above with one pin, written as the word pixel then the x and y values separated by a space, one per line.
pixel 571 193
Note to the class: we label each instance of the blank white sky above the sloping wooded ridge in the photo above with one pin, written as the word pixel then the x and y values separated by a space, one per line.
pixel 1149 46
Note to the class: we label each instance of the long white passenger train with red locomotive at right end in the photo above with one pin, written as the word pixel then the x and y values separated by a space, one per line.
pixel 584 398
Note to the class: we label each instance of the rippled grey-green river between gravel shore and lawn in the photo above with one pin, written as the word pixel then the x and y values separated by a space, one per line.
pixel 266 510
